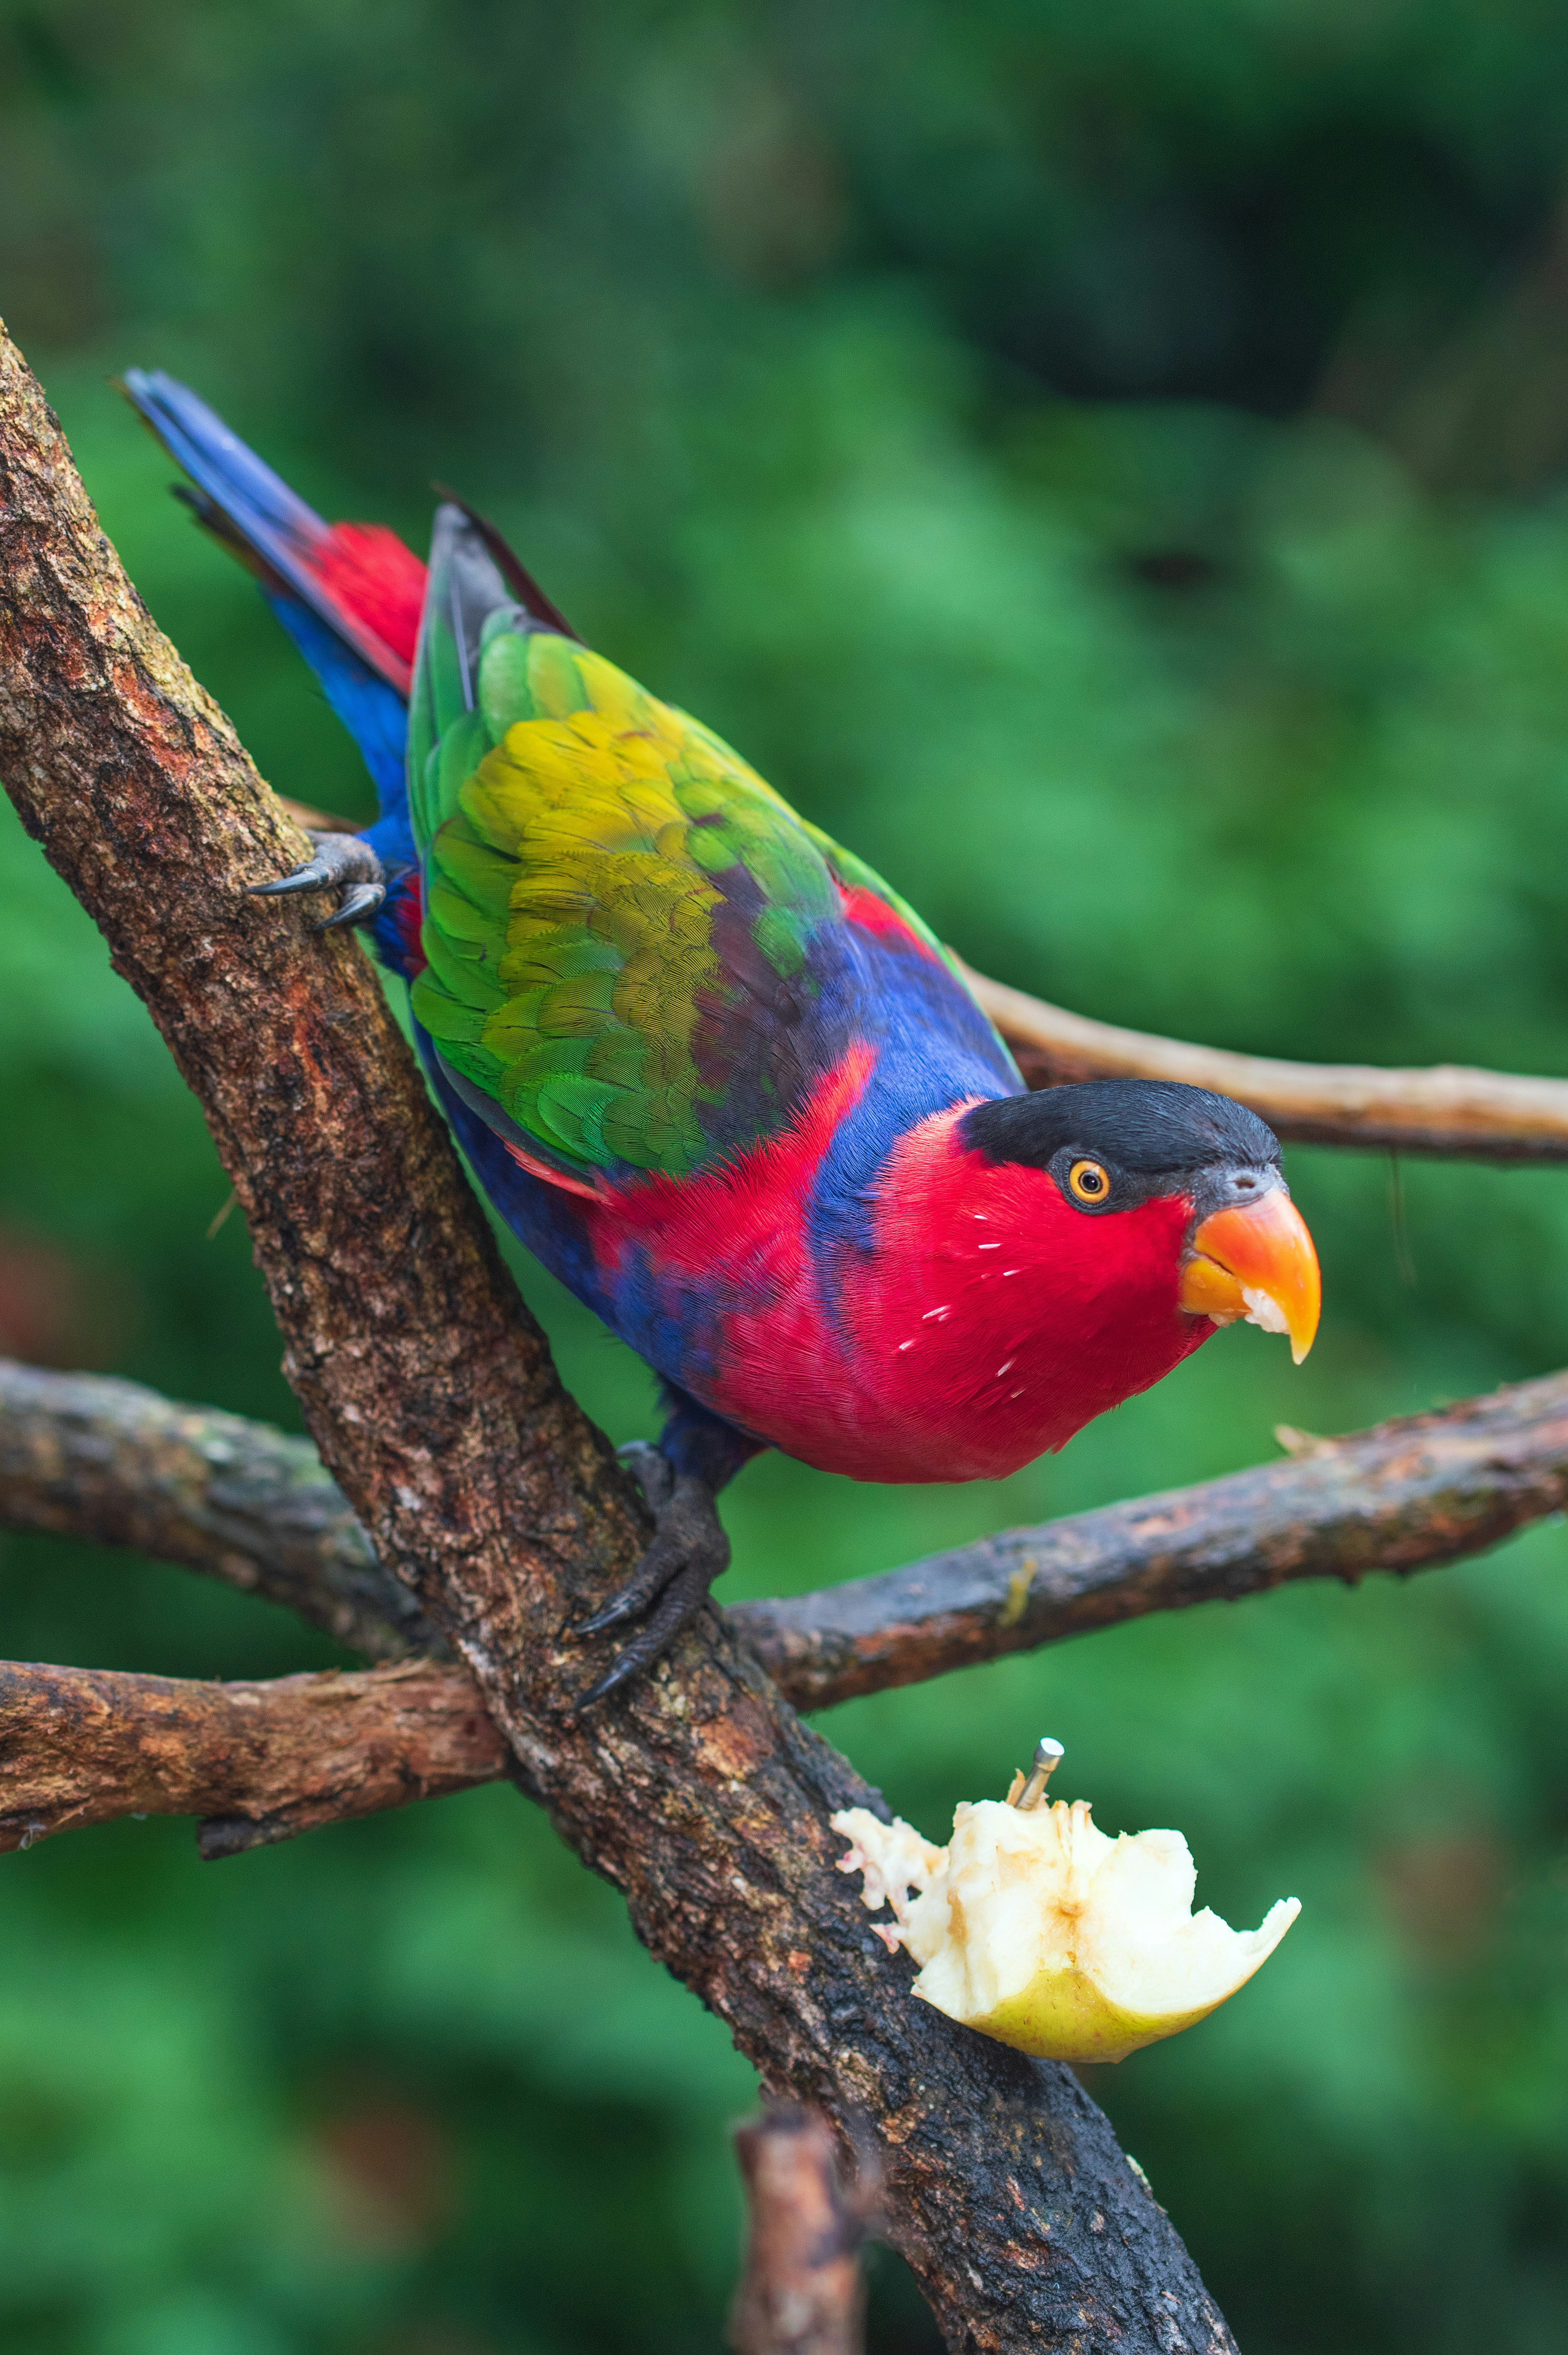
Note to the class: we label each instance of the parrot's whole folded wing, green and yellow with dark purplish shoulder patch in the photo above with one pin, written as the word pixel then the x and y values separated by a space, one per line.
pixel 637 953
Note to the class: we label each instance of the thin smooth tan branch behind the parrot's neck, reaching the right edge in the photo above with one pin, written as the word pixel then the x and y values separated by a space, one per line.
pixel 1444 1110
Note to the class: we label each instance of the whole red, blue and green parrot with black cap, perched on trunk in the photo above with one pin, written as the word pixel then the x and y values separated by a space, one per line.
pixel 717 1075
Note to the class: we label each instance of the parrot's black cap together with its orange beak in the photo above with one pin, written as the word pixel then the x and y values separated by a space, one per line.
pixel 1117 1143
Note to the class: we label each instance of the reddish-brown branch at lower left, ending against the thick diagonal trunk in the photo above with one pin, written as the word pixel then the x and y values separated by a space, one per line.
pixel 258 1763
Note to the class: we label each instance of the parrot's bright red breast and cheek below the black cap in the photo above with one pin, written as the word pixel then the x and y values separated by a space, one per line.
pixel 983 1325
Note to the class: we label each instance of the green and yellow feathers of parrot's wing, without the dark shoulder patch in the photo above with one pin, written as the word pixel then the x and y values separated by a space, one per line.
pixel 573 832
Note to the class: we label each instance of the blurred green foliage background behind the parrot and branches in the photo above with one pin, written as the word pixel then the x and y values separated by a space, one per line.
pixel 1112 467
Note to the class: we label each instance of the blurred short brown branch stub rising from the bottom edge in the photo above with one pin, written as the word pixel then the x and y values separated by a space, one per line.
pixel 802 2290
